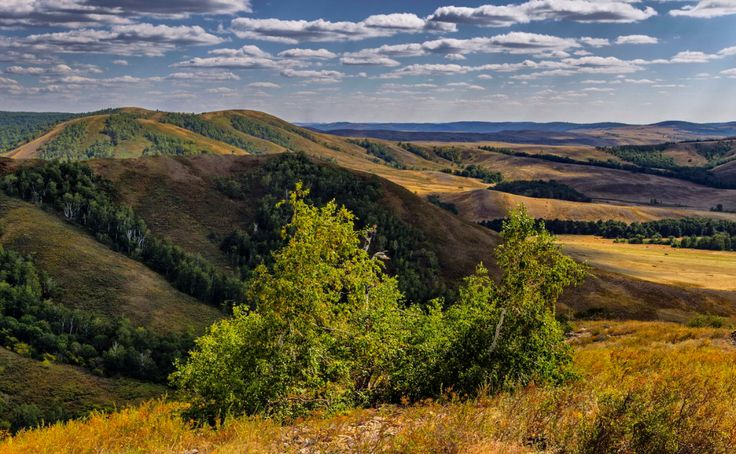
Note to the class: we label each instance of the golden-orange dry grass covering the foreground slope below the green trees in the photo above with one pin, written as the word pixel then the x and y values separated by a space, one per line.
pixel 642 387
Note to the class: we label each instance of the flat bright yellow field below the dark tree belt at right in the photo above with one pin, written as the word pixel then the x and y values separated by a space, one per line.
pixel 655 263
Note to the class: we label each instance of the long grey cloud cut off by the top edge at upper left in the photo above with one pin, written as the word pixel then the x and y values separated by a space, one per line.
pixel 76 13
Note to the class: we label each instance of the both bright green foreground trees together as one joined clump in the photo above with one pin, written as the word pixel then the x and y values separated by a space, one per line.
pixel 330 330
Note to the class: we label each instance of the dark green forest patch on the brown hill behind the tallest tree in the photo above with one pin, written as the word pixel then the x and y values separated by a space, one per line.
pixel 412 258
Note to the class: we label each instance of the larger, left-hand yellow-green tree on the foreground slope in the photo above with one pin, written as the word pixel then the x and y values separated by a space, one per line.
pixel 324 333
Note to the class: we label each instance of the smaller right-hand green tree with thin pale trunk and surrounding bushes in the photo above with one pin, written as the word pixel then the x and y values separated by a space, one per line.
pixel 496 335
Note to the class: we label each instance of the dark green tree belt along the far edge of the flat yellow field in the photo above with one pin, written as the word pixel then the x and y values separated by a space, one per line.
pixel 695 233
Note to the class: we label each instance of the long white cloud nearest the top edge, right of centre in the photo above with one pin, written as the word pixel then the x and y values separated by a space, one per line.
pixel 605 11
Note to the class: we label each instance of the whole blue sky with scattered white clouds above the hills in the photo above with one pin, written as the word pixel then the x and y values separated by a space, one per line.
pixel 634 61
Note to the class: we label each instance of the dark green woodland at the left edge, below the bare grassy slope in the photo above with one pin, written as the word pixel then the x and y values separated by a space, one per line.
pixel 32 325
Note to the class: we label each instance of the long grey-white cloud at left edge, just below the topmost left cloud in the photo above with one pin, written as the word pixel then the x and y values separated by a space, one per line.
pixel 133 39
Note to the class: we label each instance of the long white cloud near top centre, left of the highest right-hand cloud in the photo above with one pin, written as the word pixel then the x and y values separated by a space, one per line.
pixel 294 31
